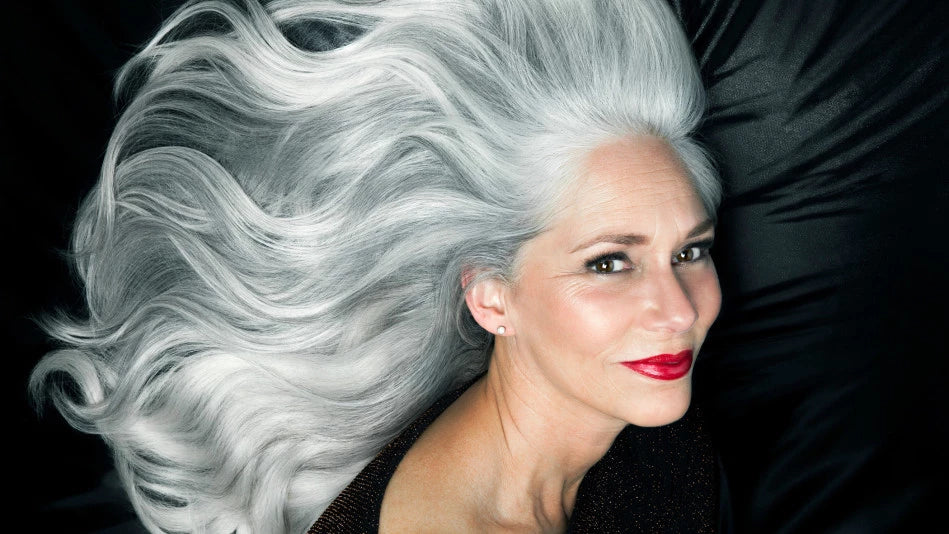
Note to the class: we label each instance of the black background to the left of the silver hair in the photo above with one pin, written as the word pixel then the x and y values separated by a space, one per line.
pixel 59 59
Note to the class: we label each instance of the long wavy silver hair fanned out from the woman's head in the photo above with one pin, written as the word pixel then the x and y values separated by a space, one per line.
pixel 273 253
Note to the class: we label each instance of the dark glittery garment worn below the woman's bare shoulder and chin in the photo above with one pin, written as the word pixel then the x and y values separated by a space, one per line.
pixel 663 479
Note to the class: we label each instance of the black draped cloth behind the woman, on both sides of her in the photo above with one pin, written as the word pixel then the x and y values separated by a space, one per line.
pixel 823 379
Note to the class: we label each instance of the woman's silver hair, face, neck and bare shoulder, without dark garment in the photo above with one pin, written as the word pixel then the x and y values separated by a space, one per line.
pixel 291 254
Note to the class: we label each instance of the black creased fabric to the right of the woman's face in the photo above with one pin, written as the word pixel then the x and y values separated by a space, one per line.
pixel 825 370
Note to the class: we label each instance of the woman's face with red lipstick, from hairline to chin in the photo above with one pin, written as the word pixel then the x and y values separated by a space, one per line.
pixel 623 274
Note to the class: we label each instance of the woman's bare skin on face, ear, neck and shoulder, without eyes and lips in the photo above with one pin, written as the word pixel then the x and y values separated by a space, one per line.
pixel 556 394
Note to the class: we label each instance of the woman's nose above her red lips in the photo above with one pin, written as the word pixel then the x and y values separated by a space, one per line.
pixel 668 308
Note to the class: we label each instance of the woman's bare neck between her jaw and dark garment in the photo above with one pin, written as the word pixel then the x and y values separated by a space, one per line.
pixel 541 442
